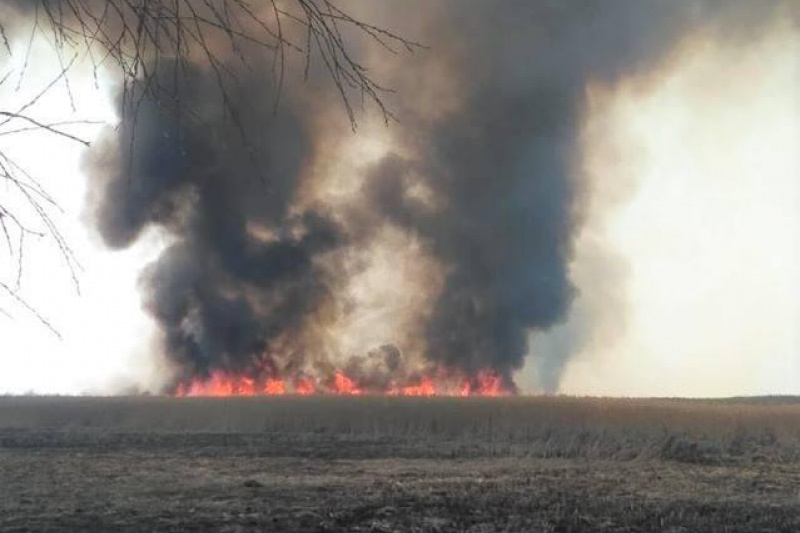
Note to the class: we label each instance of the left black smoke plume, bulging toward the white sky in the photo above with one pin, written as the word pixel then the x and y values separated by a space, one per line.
pixel 241 271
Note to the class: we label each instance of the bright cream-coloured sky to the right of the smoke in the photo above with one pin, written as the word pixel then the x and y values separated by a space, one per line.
pixel 709 229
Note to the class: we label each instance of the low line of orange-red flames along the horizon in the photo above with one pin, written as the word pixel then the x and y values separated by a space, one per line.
pixel 439 383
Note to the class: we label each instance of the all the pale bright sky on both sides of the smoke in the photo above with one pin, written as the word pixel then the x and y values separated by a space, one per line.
pixel 688 256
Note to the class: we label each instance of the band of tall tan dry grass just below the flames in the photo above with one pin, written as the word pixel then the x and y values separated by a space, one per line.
pixel 694 431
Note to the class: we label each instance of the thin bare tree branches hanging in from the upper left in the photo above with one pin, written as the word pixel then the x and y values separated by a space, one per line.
pixel 131 38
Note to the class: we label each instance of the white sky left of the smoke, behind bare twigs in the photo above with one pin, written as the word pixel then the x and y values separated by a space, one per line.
pixel 98 320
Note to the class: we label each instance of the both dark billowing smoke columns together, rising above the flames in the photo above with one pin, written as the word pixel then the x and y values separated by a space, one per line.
pixel 483 171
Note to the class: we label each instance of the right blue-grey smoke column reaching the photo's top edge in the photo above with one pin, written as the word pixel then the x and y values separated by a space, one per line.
pixel 504 161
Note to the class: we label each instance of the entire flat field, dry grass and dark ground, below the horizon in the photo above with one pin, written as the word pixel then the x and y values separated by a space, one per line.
pixel 330 464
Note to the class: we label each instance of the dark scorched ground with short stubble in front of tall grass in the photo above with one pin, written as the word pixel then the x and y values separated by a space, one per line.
pixel 92 479
